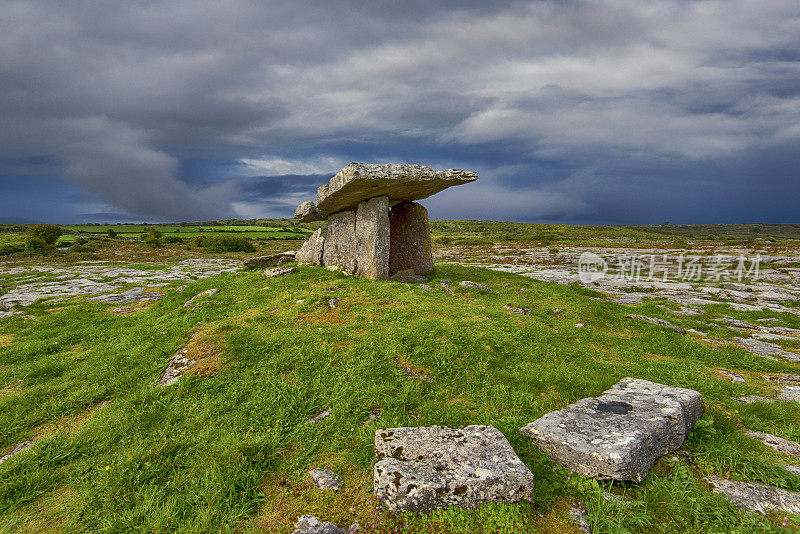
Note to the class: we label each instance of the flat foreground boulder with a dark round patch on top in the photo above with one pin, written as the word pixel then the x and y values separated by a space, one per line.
pixel 621 433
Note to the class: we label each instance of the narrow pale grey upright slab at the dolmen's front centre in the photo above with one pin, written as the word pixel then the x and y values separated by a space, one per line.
pixel 372 238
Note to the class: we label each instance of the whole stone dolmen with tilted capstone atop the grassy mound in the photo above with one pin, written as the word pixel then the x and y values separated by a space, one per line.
pixel 375 229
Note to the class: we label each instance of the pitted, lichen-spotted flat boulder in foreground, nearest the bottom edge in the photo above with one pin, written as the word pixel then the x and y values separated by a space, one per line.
pixel 427 468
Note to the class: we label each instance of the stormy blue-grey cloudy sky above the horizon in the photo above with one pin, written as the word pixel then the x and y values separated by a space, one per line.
pixel 600 112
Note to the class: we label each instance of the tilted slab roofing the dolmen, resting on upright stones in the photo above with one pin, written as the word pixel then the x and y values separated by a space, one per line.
pixel 361 181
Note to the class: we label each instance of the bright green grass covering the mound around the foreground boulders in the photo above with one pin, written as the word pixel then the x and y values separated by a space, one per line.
pixel 228 448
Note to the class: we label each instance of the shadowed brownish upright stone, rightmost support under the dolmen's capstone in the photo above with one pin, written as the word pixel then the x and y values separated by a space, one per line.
pixel 410 239
